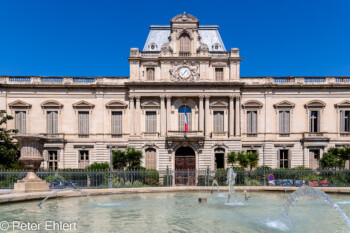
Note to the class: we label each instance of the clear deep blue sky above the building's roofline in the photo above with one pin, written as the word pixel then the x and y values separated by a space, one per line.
pixel 93 38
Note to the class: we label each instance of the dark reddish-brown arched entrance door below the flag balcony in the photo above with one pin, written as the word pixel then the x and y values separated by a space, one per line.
pixel 185 166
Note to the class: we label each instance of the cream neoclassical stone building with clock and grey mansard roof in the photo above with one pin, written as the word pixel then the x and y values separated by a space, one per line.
pixel 289 121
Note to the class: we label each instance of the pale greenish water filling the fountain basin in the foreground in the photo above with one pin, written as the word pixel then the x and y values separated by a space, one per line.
pixel 181 212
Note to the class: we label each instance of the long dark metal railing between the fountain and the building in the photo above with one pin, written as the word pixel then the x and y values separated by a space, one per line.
pixel 168 177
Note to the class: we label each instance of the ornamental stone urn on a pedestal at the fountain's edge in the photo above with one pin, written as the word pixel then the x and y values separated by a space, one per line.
pixel 31 147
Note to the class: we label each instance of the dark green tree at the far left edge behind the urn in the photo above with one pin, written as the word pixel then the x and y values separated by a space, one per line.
pixel 9 152
